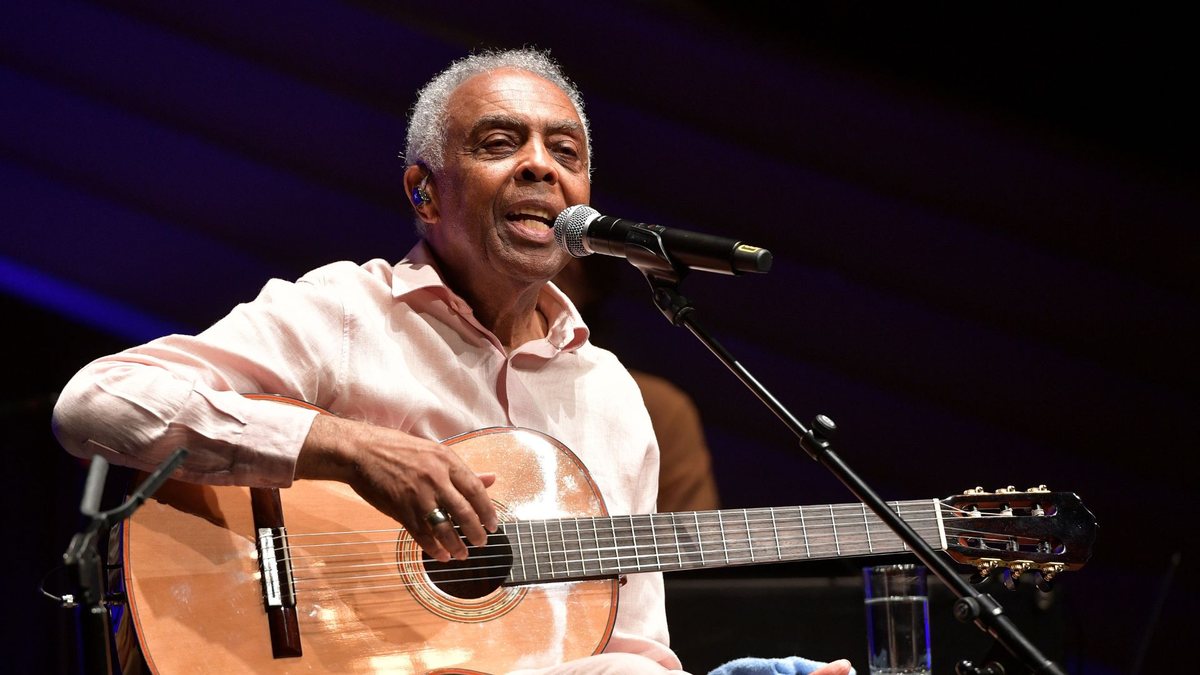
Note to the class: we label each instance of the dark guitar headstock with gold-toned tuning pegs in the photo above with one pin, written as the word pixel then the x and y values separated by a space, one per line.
pixel 1030 530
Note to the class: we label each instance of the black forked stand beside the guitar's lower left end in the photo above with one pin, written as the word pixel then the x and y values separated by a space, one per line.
pixel 87 568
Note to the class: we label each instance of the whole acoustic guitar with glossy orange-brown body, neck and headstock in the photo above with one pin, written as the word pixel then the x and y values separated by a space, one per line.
pixel 311 578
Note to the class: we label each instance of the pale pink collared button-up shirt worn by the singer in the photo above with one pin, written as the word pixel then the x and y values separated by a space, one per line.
pixel 391 345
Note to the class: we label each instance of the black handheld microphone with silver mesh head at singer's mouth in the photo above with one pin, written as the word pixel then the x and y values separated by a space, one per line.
pixel 581 231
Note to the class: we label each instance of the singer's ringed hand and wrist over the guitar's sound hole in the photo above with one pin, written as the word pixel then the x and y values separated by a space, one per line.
pixel 405 477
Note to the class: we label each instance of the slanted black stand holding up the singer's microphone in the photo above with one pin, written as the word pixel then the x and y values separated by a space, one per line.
pixel 645 250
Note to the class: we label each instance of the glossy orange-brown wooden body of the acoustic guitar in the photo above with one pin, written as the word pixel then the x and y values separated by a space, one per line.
pixel 363 598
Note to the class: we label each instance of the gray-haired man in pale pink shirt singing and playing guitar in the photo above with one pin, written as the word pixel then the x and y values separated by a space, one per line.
pixel 464 333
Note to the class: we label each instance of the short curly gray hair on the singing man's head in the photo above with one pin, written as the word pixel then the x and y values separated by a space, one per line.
pixel 428 122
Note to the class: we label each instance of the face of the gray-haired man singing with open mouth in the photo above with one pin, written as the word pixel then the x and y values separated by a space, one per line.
pixel 515 158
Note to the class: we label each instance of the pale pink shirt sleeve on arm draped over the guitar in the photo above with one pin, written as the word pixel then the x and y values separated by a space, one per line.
pixel 137 407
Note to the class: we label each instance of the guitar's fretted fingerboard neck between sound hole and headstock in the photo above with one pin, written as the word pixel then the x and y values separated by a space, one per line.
pixel 590 548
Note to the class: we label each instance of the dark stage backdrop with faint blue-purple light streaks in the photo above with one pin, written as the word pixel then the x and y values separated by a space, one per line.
pixel 983 224
